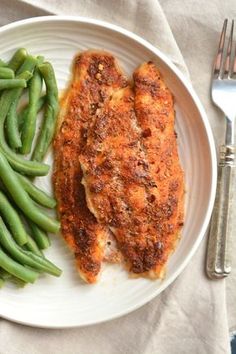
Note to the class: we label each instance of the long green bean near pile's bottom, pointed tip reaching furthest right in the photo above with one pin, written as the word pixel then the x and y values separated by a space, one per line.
pixel 25 257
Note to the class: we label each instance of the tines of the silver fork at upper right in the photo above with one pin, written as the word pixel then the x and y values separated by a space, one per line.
pixel 225 62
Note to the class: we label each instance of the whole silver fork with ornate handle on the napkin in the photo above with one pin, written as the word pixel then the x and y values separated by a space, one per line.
pixel 223 92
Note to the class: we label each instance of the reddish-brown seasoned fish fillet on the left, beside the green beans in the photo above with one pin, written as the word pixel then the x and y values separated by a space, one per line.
pixel 95 76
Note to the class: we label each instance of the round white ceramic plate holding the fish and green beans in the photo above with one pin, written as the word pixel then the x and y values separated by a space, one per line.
pixel 66 301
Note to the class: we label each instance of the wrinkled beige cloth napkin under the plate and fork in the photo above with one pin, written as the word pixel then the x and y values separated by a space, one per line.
pixel 190 316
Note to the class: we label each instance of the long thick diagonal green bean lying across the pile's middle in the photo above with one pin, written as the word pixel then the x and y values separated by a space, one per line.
pixel 22 199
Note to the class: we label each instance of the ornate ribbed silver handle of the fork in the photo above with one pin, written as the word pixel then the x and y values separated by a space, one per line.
pixel 220 236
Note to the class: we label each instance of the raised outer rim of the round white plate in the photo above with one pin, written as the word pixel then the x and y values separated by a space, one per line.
pixel 212 149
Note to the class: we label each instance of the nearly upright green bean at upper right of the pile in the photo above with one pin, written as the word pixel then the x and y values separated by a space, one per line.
pixel 50 115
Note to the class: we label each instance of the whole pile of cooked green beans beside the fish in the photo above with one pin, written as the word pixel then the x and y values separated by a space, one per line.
pixel 24 221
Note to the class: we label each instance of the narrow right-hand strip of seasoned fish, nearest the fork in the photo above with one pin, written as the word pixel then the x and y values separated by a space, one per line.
pixel 154 108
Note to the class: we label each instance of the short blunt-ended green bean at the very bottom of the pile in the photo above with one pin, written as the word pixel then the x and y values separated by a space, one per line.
pixel 16 269
